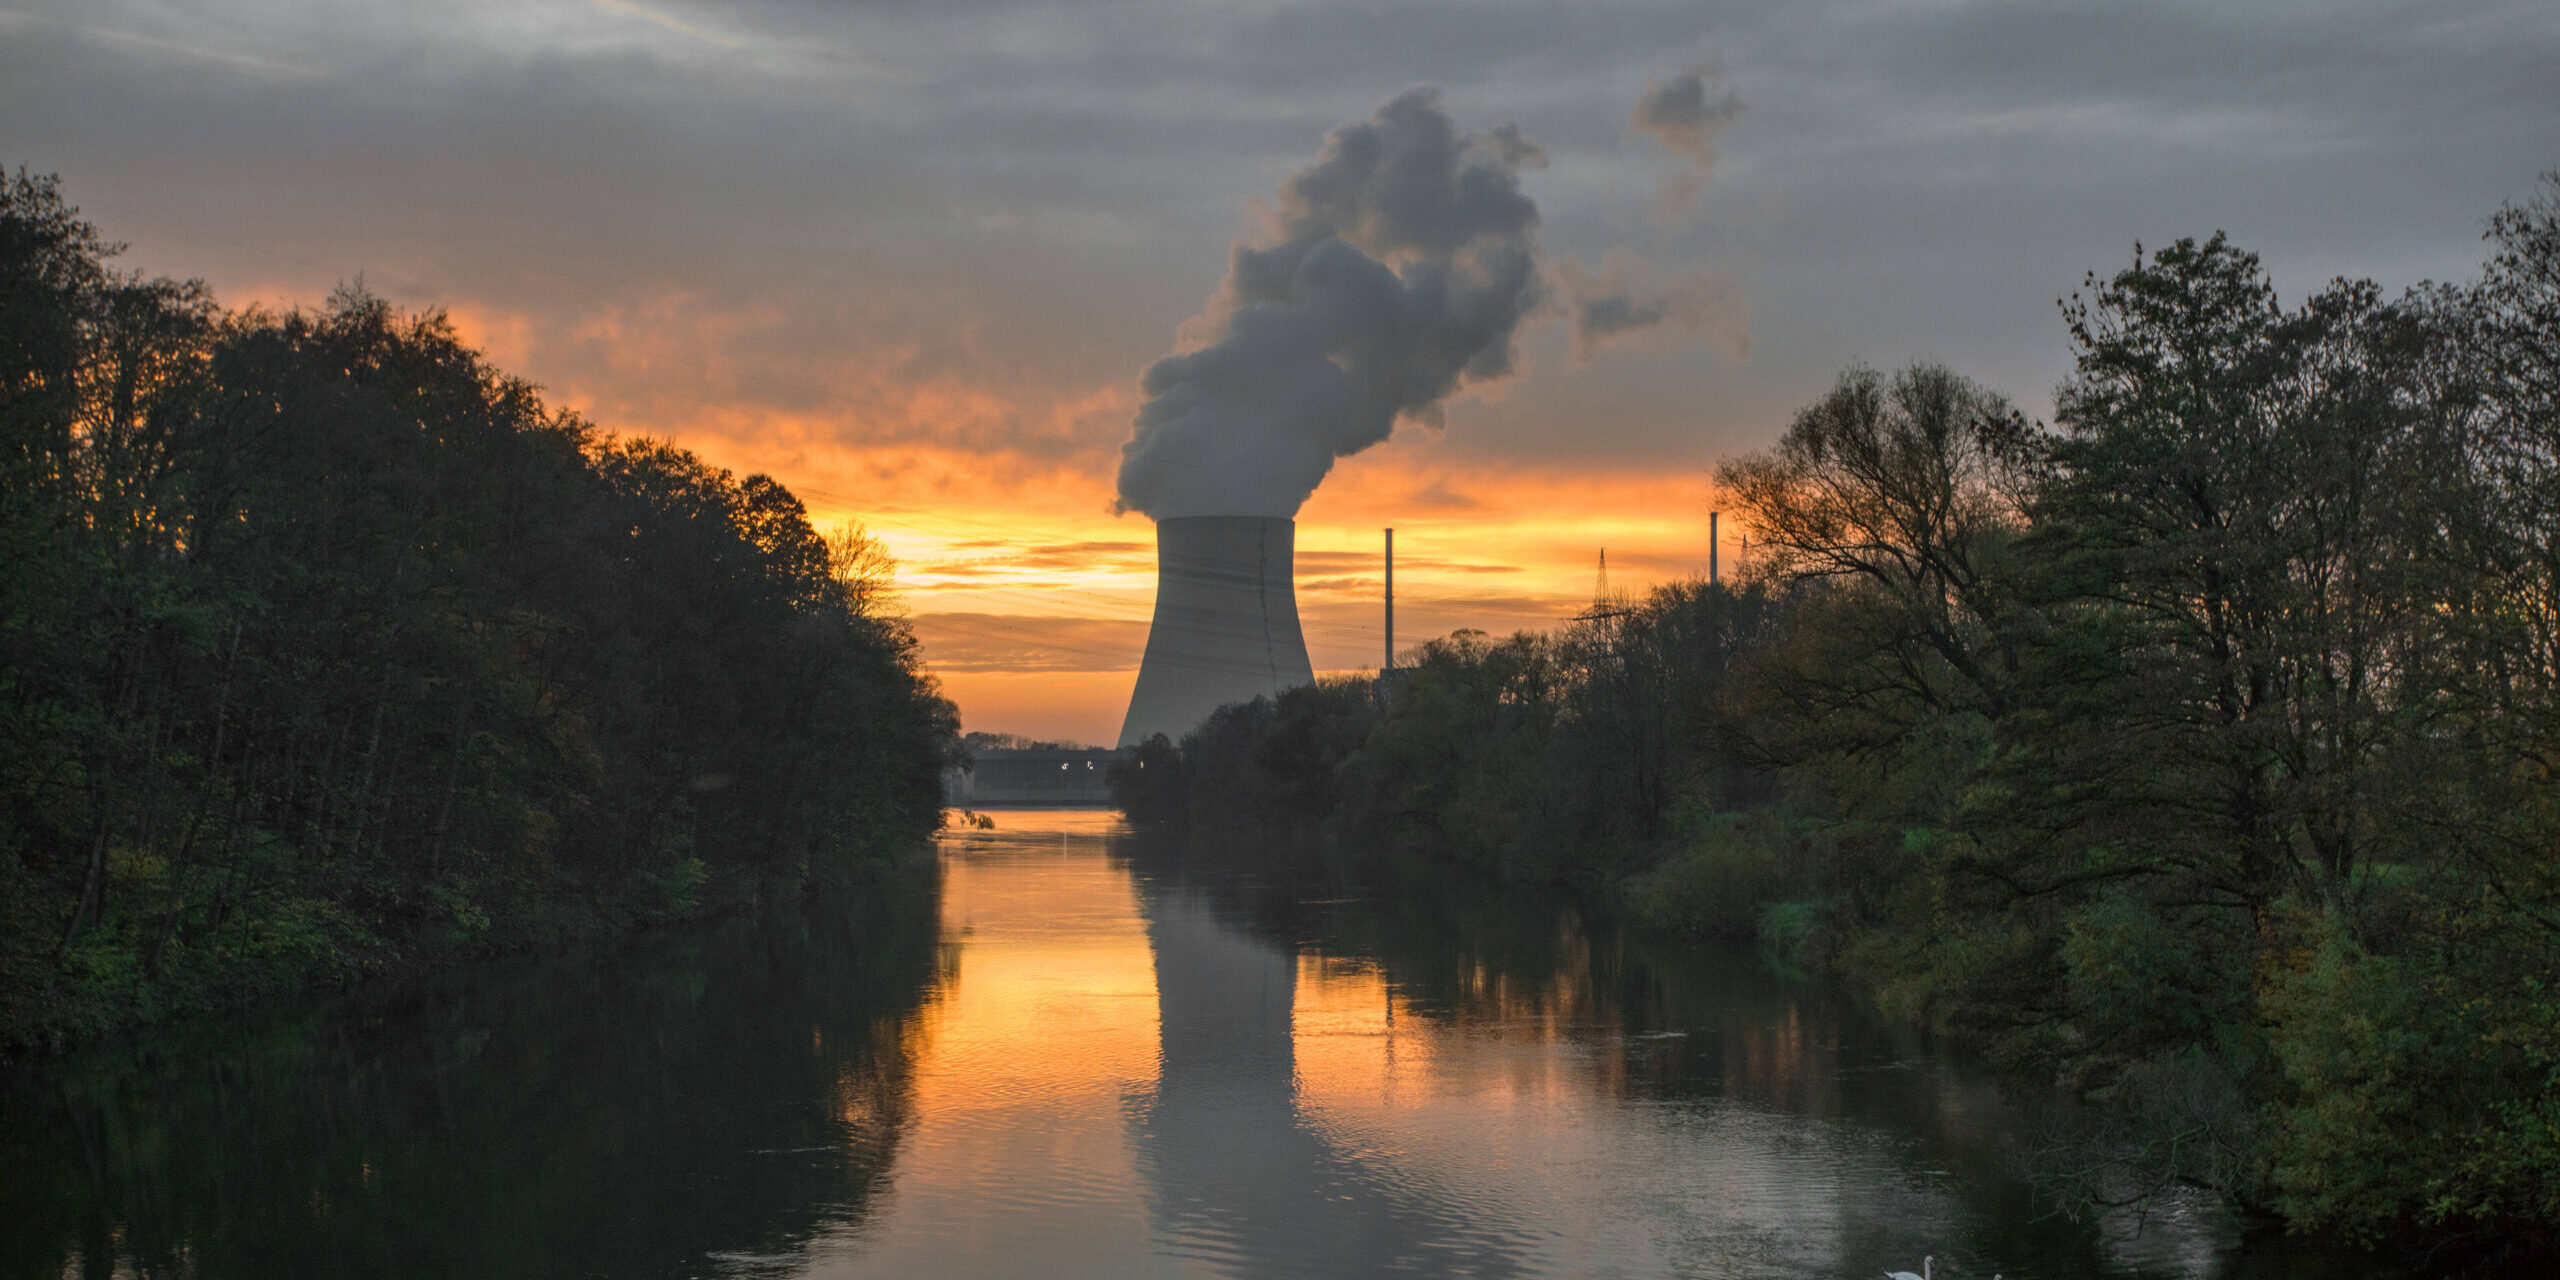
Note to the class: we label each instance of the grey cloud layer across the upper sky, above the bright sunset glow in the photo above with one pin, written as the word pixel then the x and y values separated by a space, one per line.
pixel 1030 193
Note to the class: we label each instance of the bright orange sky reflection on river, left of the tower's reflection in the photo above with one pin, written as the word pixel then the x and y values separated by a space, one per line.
pixel 1043 1023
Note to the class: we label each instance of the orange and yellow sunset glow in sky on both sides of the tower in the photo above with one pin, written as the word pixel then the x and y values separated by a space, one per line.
pixel 1028 595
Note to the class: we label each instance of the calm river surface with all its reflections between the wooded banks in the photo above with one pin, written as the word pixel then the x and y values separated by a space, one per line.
pixel 1079 1056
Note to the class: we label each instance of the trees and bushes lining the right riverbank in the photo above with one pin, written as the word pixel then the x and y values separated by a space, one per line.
pixel 2193 751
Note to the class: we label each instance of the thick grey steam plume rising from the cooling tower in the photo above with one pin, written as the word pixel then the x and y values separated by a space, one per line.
pixel 1402 268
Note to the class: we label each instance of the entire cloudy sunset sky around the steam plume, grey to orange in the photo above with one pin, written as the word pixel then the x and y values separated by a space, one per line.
pixel 915 255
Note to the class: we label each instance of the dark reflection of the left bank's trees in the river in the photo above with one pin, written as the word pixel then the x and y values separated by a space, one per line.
pixel 695 1097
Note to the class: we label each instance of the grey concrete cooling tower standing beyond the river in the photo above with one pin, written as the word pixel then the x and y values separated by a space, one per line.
pixel 1225 623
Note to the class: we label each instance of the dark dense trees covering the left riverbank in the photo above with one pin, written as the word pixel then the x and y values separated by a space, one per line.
pixel 326 649
